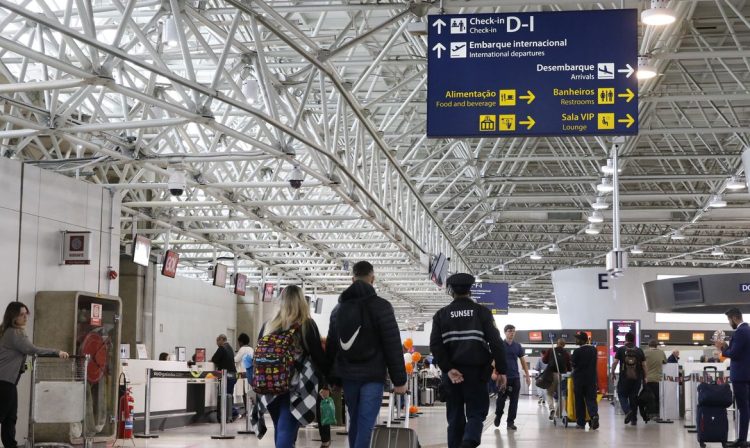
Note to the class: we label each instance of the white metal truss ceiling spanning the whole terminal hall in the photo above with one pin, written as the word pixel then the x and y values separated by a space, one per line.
pixel 244 92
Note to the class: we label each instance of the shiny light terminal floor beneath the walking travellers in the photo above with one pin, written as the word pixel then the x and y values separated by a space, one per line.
pixel 534 430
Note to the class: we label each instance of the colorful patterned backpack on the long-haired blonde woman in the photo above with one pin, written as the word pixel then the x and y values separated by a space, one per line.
pixel 273 363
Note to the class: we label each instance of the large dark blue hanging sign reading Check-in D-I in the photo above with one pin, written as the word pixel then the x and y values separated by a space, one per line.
pixel 531 74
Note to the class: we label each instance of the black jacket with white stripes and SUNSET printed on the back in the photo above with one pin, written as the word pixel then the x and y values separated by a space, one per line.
pixel 464 334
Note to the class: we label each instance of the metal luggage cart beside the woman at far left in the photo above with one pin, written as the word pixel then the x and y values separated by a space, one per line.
pixel 58 395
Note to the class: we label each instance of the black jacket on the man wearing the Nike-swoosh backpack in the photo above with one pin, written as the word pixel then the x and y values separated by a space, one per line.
pixel 389 356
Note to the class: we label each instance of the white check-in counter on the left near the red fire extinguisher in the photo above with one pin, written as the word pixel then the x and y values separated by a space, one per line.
pixel 174 401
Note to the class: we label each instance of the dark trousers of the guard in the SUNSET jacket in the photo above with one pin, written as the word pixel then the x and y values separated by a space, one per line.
pixel 466 408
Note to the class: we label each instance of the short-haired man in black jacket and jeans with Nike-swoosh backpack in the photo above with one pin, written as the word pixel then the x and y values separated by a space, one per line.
pixel 364 345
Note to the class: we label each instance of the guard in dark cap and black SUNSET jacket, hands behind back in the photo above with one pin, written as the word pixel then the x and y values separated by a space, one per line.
pixel 464 342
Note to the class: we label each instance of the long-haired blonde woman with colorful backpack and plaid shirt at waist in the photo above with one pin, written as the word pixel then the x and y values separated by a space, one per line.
pixel 289 365
